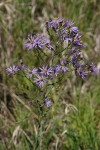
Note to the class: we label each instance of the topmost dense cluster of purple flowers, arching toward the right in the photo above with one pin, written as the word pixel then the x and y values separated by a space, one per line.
pixel 66 31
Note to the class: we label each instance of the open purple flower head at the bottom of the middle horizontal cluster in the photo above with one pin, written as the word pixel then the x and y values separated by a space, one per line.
pixel 40 80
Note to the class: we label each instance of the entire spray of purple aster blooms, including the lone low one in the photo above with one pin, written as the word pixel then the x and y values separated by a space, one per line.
pixel 71 60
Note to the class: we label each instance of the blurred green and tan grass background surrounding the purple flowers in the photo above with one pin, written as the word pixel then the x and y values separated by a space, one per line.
pixel 74 123
